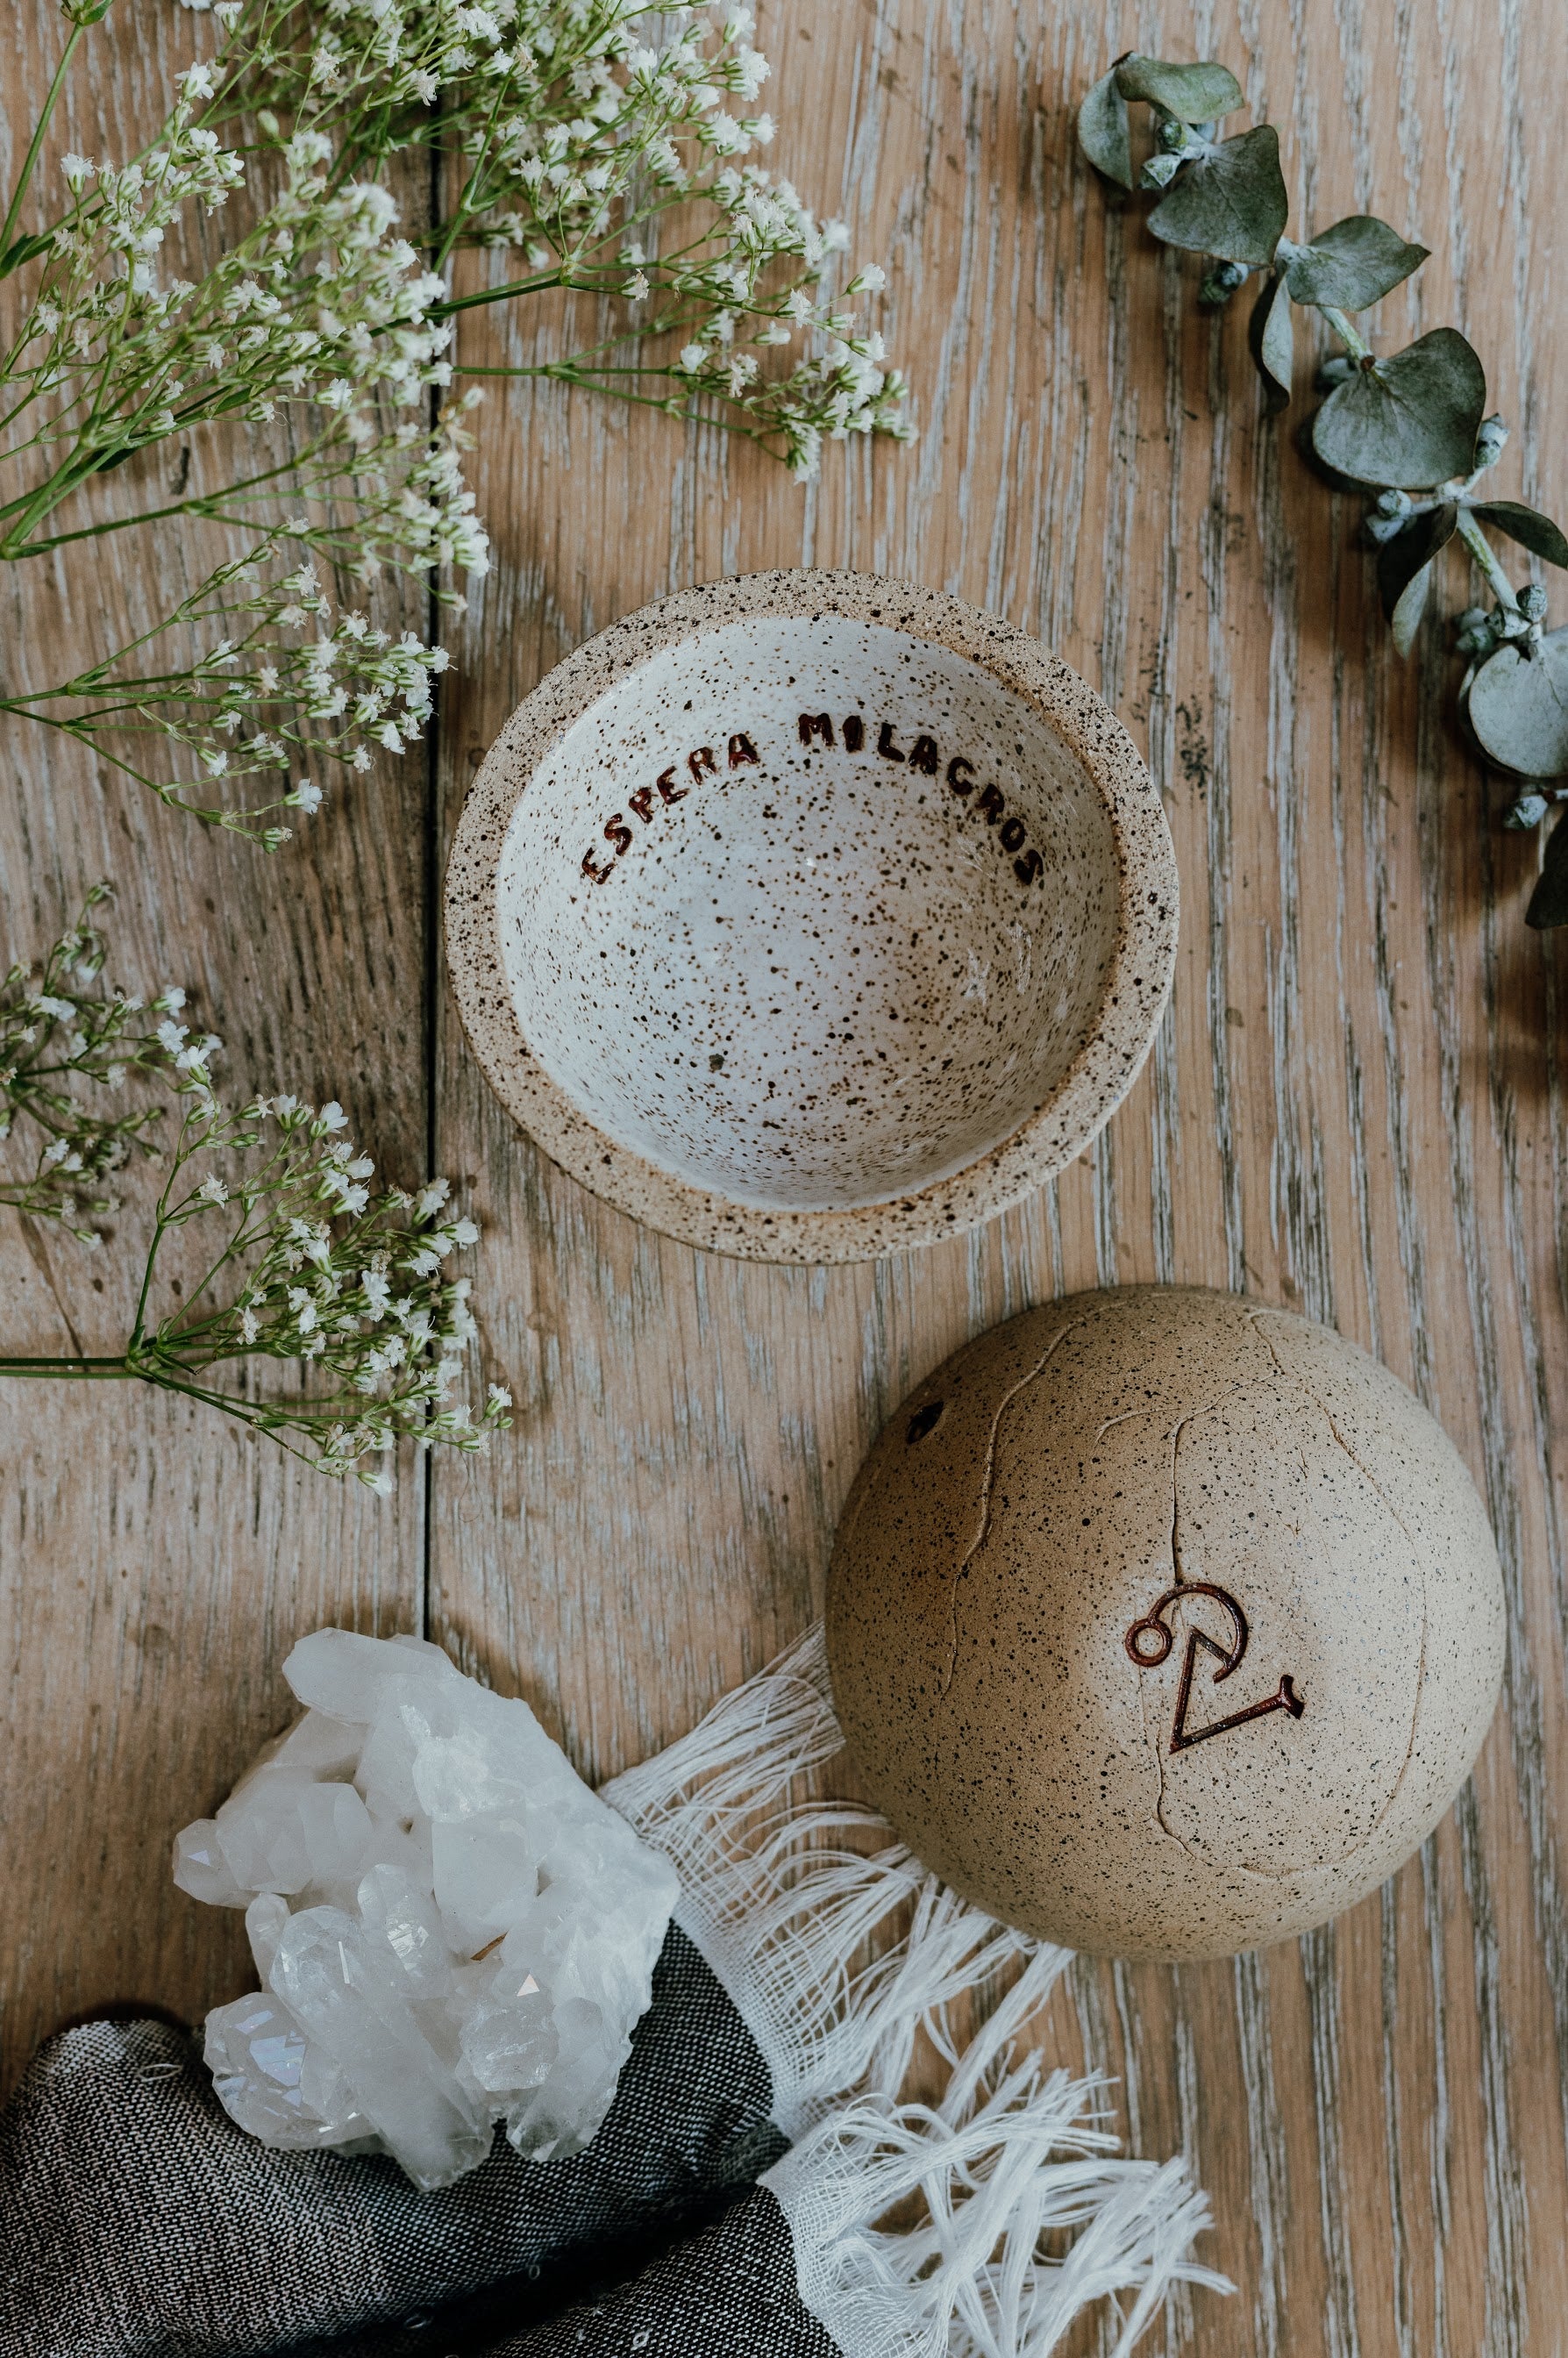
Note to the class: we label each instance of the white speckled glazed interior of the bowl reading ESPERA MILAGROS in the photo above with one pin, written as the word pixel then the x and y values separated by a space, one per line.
pixel 793 973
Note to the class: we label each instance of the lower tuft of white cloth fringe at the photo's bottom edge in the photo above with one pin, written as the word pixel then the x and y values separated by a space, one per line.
pixel 996 2168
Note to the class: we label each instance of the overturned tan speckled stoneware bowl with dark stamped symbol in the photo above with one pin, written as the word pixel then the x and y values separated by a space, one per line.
pixel 1164 1623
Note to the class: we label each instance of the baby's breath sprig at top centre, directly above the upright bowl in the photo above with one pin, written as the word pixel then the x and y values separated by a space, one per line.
pixel 617 147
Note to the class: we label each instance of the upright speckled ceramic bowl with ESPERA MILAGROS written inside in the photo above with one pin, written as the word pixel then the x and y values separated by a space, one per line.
pixel 810 916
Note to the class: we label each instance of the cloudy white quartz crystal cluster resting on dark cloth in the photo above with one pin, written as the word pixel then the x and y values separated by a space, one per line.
pixel 452 1930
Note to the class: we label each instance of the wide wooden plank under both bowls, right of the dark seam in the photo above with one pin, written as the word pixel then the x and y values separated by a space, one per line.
pixel 1355 1107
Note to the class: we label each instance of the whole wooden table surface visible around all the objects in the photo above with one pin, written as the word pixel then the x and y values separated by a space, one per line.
pixel 1355 1107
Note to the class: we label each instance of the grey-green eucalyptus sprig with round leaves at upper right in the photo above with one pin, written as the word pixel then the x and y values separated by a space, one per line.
pixel 1409 428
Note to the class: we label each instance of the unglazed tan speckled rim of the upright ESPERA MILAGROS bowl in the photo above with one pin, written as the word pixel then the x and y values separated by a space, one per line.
pixel 1048 1140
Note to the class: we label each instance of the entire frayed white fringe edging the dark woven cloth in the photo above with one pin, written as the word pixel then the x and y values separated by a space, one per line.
pixel 782 1909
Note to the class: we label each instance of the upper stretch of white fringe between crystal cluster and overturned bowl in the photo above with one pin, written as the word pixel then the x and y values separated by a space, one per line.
pixel 782 1906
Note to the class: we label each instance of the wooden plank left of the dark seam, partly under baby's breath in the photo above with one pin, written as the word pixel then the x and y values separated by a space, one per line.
pixel 157 1565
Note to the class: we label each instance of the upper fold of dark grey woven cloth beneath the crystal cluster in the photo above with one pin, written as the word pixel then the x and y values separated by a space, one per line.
pixel 138 2222
